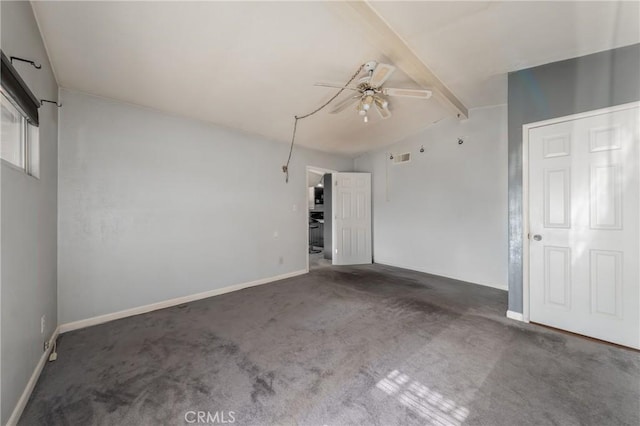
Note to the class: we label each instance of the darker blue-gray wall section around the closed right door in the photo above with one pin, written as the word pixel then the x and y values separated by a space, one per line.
pixel 555 90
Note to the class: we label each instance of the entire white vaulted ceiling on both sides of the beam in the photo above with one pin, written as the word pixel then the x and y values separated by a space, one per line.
pixel 252 66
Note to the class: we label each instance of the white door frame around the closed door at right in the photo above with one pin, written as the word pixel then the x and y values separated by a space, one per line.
pixel 525 188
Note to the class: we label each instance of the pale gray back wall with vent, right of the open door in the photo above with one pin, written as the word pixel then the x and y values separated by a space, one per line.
pixel 445 211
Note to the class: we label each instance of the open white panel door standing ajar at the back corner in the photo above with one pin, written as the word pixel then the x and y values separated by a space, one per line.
pixel 351 201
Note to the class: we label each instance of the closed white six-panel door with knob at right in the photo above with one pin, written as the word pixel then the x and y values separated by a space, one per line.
pixel 584 225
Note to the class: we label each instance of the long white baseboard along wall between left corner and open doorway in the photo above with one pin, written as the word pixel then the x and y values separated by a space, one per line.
pixel 75 325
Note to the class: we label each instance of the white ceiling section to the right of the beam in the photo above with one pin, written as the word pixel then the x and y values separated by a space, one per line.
pixel 473 45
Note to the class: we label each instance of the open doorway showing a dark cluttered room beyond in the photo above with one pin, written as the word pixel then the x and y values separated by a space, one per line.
pixel 316 218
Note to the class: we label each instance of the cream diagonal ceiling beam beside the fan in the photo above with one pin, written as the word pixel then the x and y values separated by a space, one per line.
pixel 398 51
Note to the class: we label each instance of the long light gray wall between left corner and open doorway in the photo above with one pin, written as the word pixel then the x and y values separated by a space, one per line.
pixel 154 206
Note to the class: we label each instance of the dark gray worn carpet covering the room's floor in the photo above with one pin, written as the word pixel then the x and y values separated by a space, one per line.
pixel 367 345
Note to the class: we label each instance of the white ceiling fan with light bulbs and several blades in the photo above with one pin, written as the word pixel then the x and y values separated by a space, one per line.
pixel 370 92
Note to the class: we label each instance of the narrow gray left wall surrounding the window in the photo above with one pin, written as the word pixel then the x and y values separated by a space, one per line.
pixel 28 222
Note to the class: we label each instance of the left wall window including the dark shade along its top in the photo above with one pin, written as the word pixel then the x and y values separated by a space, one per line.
pixel 19 136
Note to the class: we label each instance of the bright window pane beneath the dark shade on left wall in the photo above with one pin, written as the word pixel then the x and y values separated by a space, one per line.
pixel 20 144
